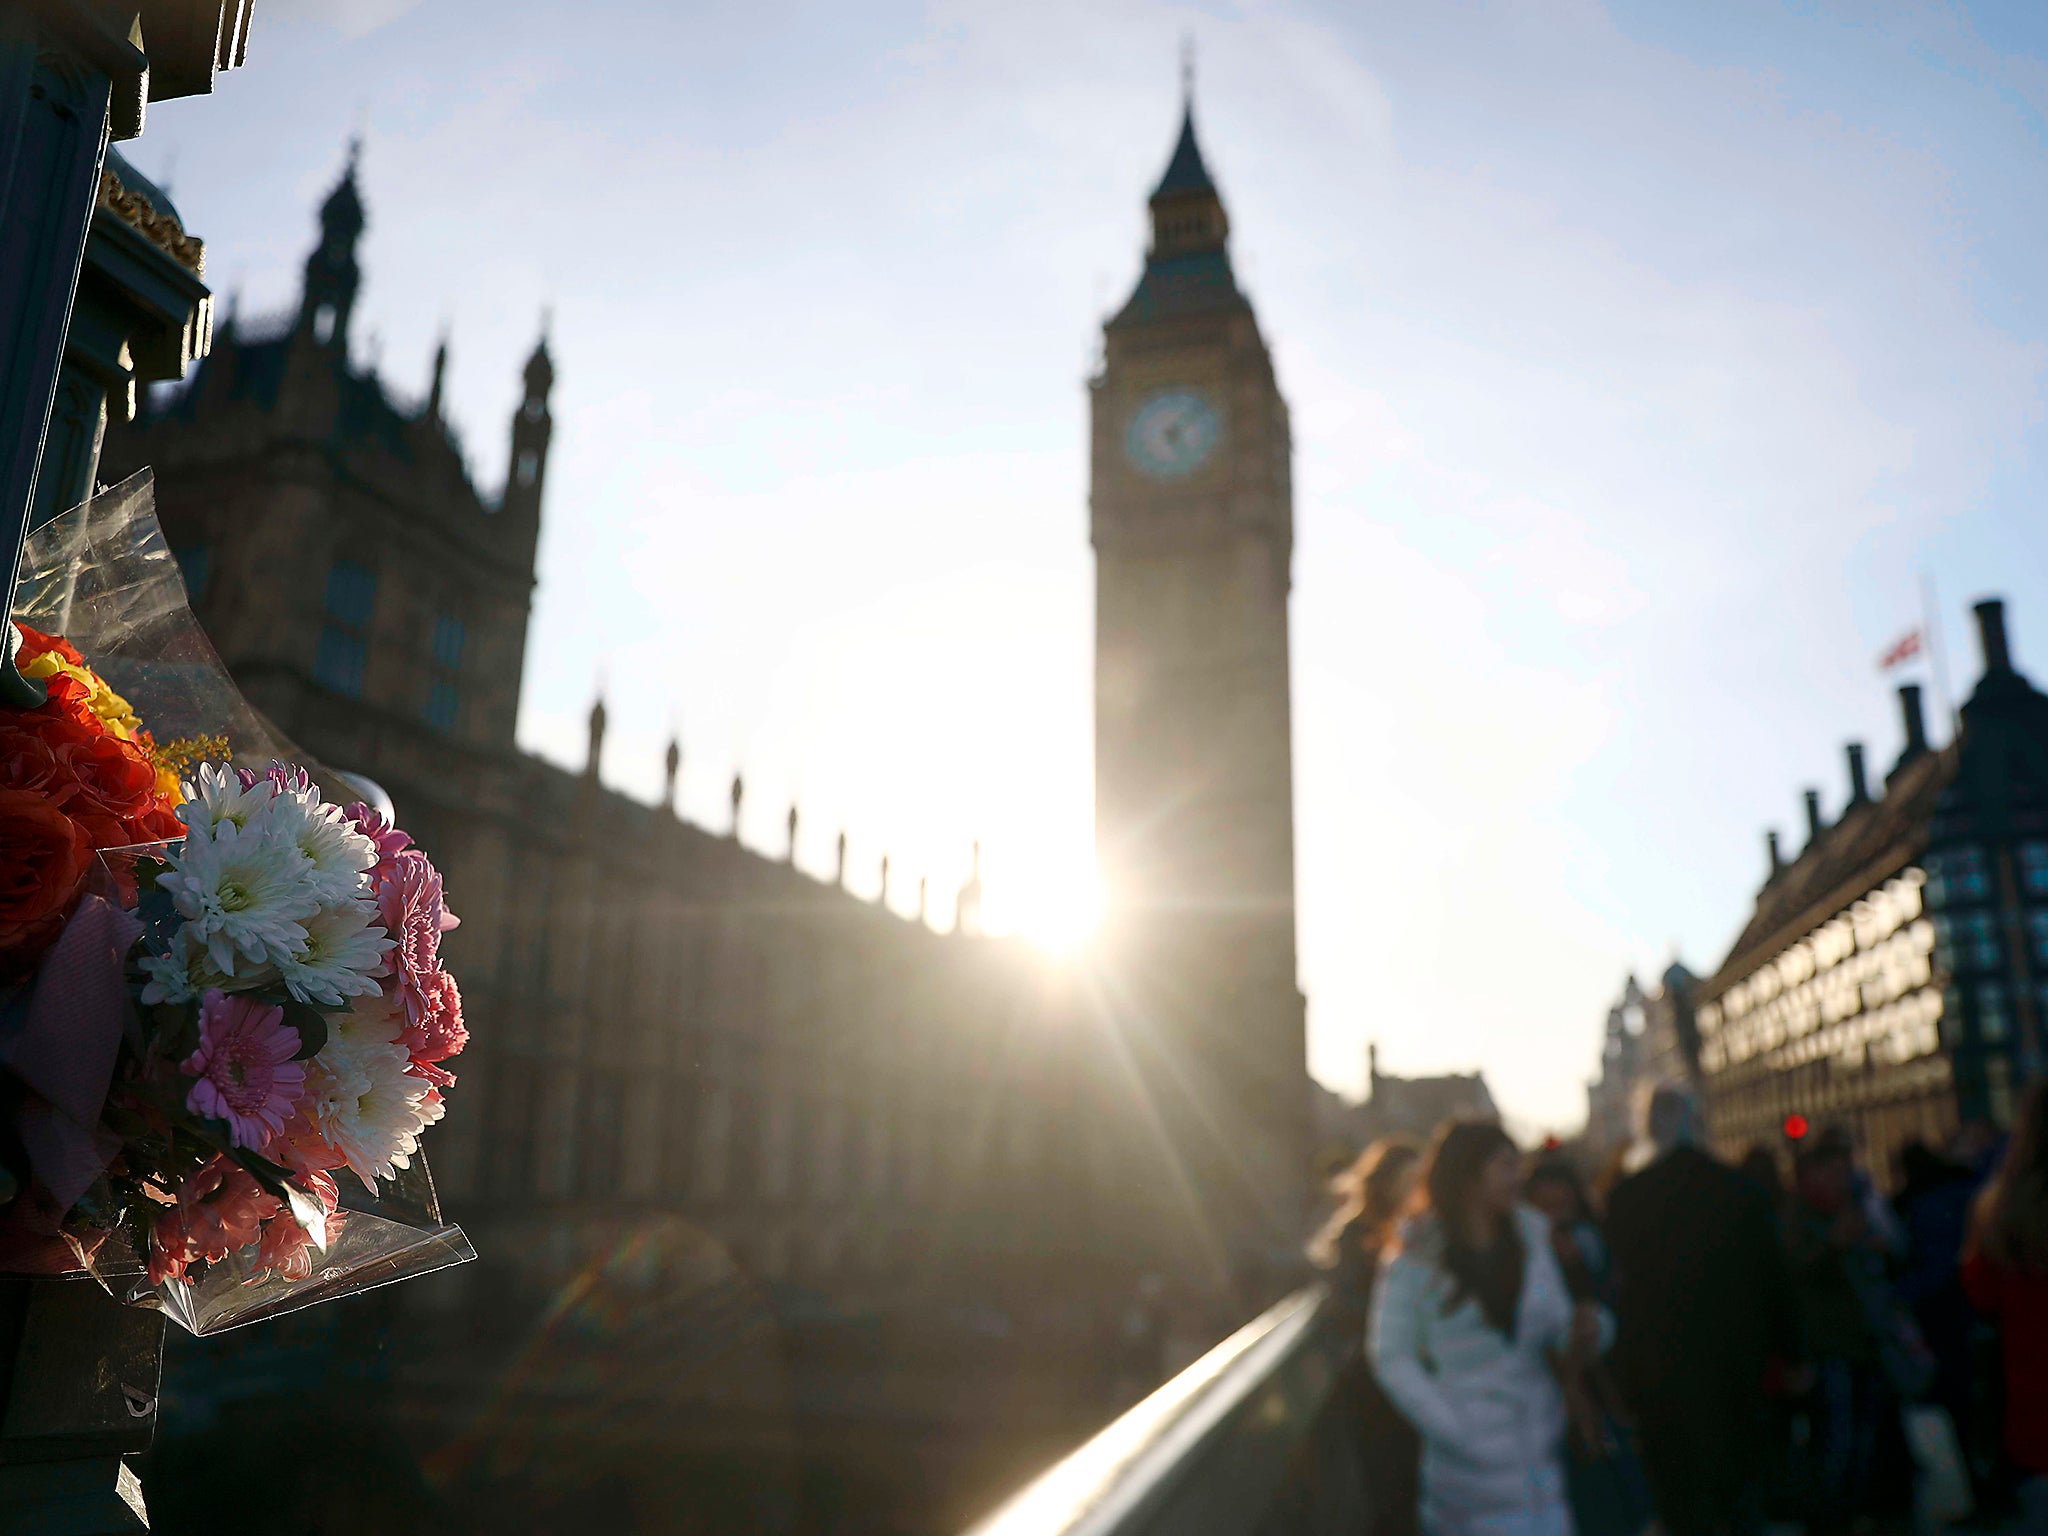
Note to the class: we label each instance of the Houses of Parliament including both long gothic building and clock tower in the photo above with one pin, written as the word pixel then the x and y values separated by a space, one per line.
pixel 792 1213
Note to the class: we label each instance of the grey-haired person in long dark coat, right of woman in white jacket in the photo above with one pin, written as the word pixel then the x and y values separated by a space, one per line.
pixel 1703 1306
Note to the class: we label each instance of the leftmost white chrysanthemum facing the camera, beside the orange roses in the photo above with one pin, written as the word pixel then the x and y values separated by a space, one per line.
pixel 243 892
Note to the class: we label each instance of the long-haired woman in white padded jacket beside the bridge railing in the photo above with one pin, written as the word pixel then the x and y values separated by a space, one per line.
pixel 1465 1326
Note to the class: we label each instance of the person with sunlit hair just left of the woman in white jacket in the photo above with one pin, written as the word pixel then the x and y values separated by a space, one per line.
pixel 1375 1193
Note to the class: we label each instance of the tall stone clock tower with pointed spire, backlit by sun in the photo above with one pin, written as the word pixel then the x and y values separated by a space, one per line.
pixel 1195 808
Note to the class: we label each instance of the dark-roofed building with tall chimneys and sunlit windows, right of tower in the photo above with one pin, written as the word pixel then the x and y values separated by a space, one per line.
pixel 1891 978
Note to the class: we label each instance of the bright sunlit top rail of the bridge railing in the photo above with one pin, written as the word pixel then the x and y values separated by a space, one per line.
pixel 1123 1476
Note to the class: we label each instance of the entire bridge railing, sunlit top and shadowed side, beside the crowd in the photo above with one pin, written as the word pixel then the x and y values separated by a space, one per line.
pixel 1254 1439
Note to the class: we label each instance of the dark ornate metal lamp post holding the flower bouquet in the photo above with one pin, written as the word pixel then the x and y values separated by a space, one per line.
pixel 99 294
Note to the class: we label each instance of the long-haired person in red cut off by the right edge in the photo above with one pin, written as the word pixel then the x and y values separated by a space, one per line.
pixel 2006 1277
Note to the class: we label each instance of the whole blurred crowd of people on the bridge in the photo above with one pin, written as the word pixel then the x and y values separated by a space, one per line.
pixel 1703 1347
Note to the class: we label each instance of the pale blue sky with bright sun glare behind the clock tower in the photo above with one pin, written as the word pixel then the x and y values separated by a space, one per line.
pixel 1641 357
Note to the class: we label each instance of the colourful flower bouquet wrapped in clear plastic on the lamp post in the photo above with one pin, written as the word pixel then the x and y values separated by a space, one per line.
pixel 224 1021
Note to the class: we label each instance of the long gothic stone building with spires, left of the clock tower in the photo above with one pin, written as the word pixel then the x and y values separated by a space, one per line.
pixel 681 1050
